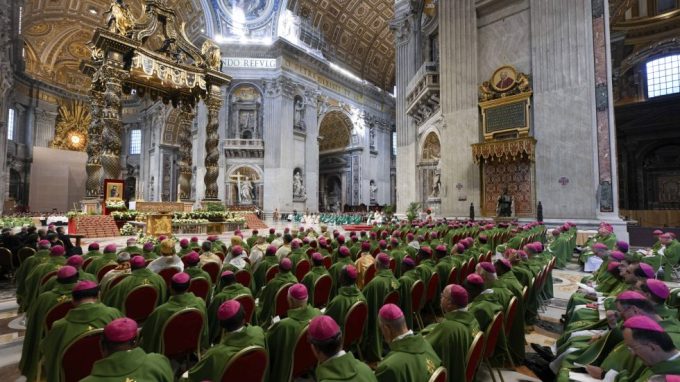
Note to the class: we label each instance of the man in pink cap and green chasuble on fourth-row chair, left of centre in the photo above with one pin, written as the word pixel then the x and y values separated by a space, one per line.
pixel 180 299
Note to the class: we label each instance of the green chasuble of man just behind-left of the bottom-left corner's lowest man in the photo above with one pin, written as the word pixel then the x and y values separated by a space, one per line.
pixel 77 321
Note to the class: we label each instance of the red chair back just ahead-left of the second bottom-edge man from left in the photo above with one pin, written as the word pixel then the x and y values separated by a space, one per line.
pixel 189 322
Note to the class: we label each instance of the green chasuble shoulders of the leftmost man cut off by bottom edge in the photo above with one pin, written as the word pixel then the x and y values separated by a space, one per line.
pixel 132 365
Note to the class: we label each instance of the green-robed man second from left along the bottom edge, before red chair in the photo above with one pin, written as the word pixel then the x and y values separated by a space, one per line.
pixel 237 335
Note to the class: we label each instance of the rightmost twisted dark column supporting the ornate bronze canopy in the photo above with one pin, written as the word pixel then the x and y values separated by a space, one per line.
pixel 212 155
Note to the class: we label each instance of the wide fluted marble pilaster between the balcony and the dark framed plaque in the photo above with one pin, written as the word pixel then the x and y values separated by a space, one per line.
pixel 460 127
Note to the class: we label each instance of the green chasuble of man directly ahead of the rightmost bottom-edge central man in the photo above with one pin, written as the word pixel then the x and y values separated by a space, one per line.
pixel 375 291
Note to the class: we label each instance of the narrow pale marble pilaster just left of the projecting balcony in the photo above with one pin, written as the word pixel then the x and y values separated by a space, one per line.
pixel 405 27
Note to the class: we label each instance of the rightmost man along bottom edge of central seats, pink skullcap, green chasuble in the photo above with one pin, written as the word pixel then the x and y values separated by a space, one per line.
pixel 411 358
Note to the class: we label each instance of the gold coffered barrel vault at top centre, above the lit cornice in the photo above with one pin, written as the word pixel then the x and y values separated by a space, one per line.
pixel 358 34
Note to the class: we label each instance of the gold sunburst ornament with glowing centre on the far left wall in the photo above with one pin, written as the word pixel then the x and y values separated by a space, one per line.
pixel 71 130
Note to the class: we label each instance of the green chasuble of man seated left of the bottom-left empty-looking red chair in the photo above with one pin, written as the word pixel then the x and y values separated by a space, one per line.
pixel 35 328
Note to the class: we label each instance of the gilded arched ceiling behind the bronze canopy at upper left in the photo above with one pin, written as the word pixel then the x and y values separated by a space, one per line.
pixel 56 34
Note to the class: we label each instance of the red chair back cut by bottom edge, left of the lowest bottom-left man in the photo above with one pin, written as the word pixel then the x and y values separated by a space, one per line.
pixel 80 355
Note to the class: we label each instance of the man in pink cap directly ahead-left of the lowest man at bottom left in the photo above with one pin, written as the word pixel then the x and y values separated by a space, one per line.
pixel 88 314
